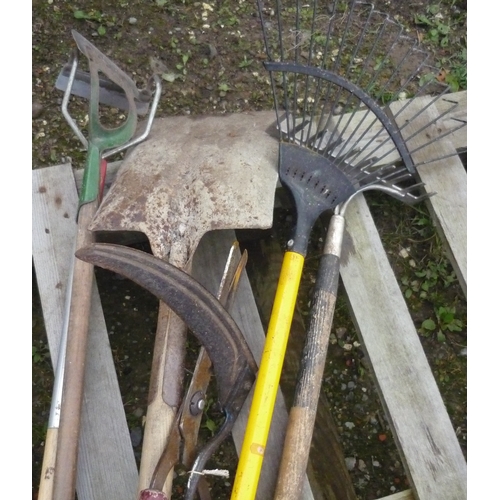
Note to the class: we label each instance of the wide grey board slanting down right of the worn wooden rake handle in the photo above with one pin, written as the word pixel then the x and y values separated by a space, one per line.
pixel 420 423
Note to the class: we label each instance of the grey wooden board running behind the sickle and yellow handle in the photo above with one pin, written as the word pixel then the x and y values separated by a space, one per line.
pixel 208 267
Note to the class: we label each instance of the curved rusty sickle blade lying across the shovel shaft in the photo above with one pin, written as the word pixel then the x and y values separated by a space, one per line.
pixel 233 363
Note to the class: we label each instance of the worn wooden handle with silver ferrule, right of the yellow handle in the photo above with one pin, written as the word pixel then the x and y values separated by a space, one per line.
pixel 300 426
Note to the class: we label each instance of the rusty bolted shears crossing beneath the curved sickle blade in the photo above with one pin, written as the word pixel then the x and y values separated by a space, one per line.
pixel 181 445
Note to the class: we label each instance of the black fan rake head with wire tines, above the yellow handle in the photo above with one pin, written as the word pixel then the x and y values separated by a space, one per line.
pixel 351 93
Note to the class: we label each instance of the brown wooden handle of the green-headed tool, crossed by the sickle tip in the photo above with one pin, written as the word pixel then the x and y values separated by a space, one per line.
pixel 74 371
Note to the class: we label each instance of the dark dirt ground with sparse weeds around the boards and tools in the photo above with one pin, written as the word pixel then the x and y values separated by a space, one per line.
pixel 210 58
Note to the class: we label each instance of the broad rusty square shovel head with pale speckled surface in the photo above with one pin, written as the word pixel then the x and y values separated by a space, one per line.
pixel 194 175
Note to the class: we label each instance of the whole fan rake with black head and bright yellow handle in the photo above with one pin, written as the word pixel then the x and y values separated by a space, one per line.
pixel 335 70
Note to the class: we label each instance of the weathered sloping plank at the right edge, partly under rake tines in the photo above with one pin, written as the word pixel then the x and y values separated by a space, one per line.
pixel 448 179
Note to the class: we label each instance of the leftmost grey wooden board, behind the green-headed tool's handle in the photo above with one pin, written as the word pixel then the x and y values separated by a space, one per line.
pixel 106 463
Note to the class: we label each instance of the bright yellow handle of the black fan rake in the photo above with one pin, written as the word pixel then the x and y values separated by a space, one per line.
pixel 268 377
